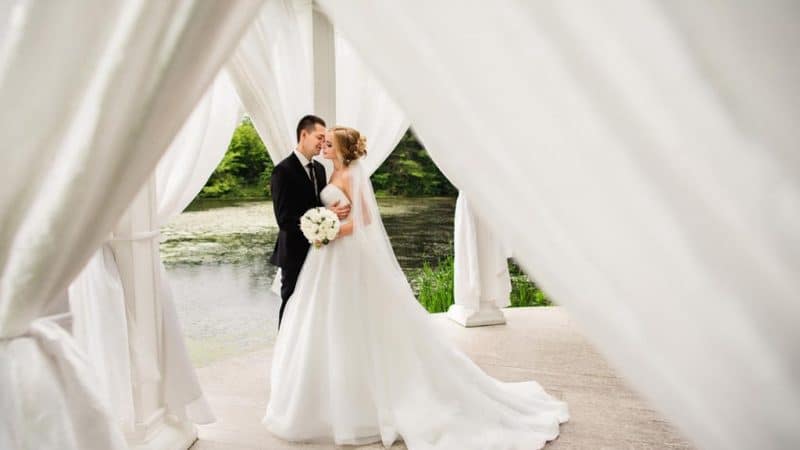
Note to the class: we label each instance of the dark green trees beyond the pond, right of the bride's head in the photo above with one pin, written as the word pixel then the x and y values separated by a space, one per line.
pixel 409 171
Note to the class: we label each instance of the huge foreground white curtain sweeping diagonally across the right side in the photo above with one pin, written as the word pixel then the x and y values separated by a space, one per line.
pixel 641 157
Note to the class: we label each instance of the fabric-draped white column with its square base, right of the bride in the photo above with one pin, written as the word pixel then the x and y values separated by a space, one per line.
pixel 481 280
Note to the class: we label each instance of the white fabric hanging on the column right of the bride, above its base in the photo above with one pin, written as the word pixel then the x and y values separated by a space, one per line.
pixel 480 265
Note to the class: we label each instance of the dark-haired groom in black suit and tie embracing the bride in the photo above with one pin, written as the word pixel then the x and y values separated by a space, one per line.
pixel 296 183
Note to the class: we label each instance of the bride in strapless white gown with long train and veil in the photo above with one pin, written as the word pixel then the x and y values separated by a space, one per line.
pixel 357 359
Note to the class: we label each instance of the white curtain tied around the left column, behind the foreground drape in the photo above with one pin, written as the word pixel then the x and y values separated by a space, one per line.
pixel 101 325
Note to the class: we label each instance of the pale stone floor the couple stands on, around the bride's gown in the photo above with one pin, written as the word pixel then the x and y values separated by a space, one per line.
pixel 537 343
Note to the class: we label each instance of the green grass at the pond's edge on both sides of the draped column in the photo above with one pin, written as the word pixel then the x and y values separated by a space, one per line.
pixel 435 287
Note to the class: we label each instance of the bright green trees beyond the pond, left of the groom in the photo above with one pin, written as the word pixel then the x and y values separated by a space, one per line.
pixel 244 170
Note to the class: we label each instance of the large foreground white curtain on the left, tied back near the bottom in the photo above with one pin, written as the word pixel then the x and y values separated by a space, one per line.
pixel 87 130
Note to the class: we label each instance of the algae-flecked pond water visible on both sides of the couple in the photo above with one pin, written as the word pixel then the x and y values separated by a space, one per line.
pixel 216 256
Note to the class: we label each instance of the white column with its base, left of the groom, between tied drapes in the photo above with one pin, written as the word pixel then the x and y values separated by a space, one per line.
pixel 136 249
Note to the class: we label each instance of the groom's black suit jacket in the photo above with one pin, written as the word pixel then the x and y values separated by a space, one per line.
pixel 292 195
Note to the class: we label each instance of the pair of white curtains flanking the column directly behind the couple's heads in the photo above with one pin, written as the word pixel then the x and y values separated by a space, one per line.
pixel 272 70
